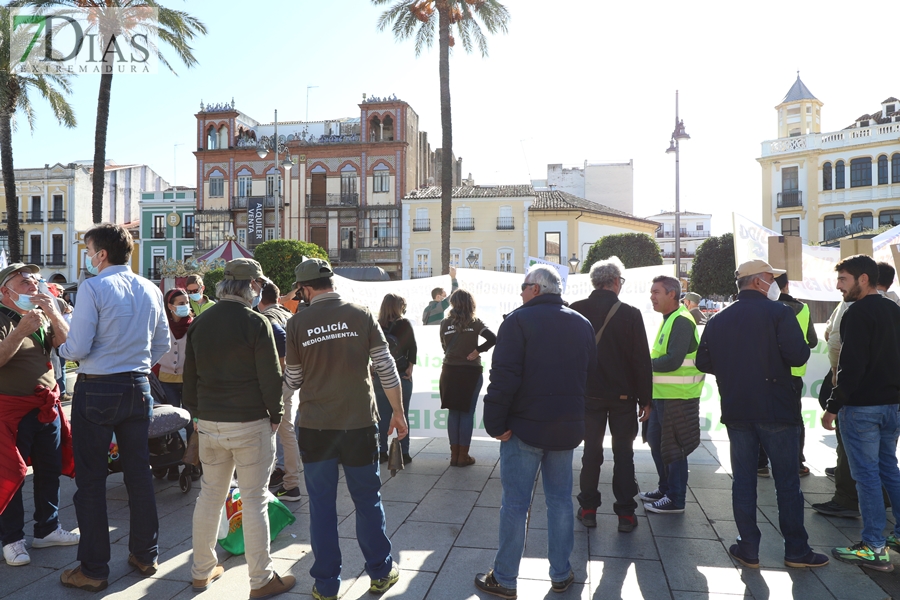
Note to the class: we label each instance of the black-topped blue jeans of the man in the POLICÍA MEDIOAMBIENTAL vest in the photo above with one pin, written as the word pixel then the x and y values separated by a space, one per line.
pixel 357 452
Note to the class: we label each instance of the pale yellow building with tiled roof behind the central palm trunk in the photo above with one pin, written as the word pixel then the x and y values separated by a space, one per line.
pixel 499 227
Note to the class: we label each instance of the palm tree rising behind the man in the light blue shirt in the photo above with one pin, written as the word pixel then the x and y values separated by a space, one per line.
pixel 112 19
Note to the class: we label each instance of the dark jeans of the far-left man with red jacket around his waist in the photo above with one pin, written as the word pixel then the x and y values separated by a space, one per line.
pixel 40 442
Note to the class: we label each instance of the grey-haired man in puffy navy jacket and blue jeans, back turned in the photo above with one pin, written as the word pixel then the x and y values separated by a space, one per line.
pixel 535 406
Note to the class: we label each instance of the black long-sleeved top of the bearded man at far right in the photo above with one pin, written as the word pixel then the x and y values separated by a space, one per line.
pixel 869 366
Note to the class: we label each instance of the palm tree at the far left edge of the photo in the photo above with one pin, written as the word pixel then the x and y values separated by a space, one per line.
pixel 14 97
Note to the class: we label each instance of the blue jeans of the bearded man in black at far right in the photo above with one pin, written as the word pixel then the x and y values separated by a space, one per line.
pixel 870 437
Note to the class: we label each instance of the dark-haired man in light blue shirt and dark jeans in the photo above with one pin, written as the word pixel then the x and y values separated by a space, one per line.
pixel 118 331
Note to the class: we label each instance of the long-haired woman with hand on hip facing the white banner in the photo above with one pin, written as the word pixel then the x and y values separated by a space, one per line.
pixel 461 374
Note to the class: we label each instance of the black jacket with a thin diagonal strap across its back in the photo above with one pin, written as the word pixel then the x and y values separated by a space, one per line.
pixel 623 356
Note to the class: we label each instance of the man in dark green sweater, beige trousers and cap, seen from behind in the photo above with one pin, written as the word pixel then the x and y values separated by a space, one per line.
pixel 232 386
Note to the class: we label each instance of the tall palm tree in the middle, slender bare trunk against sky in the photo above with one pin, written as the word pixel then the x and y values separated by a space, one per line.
pixel 418 18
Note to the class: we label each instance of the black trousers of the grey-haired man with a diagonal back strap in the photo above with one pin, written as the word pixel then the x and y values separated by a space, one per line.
pixel 621 416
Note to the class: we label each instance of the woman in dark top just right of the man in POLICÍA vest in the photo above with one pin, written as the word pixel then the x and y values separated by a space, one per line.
pixel 402 344
